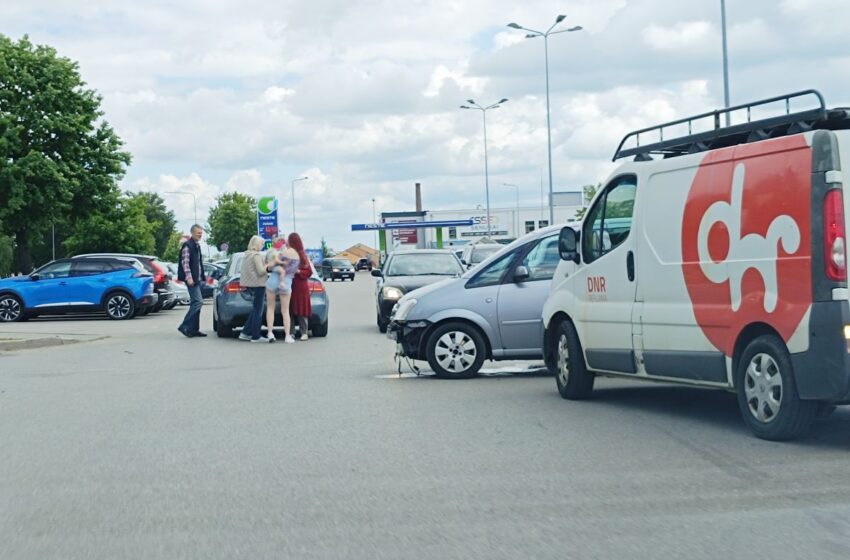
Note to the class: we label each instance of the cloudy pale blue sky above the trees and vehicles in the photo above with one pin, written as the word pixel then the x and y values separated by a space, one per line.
pixel 362 97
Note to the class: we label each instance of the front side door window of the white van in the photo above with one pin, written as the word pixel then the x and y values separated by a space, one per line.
pixel 609 221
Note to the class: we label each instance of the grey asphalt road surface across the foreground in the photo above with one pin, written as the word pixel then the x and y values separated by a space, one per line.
pixel 145 444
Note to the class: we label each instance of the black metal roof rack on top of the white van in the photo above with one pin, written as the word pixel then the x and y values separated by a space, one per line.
pixel 722 136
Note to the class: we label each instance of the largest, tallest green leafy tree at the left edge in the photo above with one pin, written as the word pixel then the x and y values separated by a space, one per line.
pixel 60 162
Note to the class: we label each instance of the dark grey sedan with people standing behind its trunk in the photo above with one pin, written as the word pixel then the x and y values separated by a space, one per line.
pixel 232 303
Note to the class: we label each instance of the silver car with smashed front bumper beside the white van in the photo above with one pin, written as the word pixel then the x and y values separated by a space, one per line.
pixel 493 311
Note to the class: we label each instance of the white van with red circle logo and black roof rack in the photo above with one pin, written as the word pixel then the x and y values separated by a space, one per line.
pixel 720 264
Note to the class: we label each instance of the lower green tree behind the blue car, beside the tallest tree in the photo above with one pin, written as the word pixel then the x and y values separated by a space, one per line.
pixel 124 229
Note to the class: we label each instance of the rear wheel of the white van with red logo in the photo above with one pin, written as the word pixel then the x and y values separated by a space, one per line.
pixel 767 394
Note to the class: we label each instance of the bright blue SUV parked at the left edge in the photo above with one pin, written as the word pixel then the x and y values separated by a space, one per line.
pixel 119 287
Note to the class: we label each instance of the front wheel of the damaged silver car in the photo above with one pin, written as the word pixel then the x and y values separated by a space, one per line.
pixel 455 351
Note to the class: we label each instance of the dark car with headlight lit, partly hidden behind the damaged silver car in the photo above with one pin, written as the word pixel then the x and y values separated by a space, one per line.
pixel 407 270
